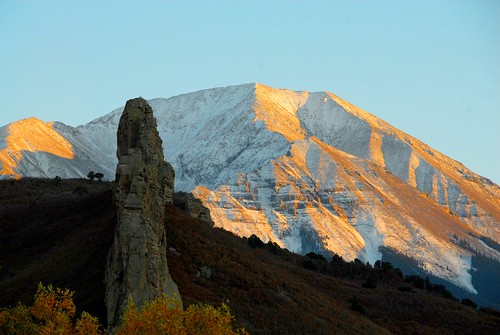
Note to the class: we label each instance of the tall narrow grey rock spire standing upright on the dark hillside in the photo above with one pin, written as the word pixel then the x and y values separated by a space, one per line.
pixel 137 264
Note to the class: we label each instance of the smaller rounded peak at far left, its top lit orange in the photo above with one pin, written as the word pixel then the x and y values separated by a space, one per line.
pixel 31 147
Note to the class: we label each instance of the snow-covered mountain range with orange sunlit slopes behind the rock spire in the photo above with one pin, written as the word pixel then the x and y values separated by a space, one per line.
pixel 308 171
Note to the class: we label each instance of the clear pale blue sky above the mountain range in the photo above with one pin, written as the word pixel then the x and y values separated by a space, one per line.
pixel 430 68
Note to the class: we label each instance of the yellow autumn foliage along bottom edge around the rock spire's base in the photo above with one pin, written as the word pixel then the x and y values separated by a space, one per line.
pixel 53 313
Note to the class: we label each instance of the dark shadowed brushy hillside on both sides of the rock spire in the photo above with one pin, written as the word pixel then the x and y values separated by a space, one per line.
pixel 60 233
